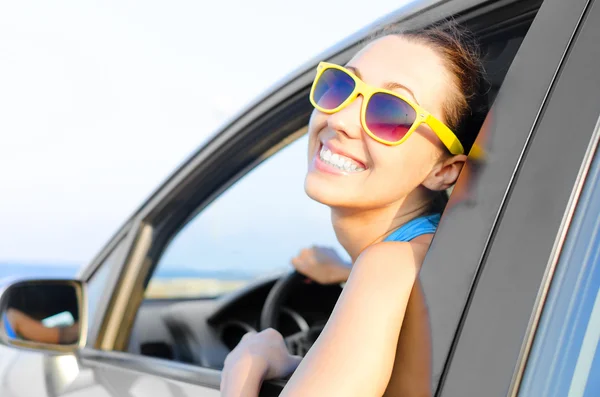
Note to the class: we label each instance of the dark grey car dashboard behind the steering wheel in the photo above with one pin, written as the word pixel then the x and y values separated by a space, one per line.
pixel 204 331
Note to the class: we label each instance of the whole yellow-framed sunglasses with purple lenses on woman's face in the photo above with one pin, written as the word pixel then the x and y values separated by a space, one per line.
pixel 387 117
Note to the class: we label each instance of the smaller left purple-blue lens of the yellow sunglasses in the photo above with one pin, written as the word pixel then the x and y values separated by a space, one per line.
pixel 332 89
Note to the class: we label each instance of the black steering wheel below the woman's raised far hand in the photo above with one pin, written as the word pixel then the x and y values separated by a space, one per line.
pixel 298 343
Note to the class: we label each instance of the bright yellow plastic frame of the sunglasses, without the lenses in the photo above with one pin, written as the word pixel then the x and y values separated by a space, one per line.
pixel 445 134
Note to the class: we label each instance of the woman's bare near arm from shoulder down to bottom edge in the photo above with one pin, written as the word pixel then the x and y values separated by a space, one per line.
pixel 354 354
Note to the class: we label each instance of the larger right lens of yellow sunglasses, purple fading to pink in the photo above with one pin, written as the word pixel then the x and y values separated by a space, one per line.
pixel 389 117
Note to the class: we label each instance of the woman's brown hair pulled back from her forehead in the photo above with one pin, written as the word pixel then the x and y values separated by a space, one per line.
pixel 465 110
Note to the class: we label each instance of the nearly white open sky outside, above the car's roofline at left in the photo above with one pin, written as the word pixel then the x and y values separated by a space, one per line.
pixel 99 101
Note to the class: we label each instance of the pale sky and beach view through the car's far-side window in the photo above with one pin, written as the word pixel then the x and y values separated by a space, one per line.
pixel 251 230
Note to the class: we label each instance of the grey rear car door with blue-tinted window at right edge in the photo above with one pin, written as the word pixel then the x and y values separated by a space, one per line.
pixel 533 245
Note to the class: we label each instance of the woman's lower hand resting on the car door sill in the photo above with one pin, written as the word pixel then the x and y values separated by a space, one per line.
pixel 258 356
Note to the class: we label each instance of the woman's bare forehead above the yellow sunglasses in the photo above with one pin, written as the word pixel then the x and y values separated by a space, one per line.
pixel 413 64
